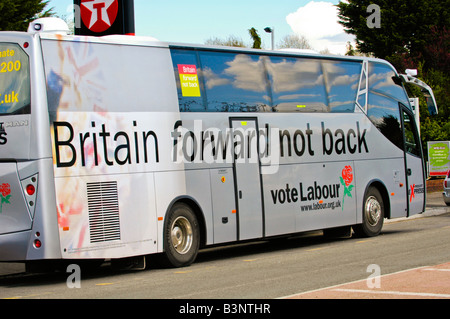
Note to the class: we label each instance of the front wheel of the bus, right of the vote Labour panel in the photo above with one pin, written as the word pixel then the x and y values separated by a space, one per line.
pixel 373 214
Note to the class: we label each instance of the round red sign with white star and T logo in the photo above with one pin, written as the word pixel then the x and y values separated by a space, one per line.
pixel 99 15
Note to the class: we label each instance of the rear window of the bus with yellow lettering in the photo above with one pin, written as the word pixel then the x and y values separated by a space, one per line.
pixel 14 80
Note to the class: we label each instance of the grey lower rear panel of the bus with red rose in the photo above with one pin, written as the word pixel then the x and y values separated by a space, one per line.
pixel 14 214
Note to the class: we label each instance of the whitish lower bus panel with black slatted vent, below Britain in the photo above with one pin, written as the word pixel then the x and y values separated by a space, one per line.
pixel 106 216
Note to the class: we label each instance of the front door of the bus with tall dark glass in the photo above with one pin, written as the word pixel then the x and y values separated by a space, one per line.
pixel 415 169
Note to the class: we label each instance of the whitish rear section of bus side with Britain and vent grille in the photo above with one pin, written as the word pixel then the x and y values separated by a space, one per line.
pixel 112 109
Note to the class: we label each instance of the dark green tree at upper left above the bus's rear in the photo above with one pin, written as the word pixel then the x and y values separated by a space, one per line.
pixel 15 15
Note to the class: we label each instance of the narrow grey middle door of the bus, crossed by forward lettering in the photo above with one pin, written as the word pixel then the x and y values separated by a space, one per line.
pixel 247 172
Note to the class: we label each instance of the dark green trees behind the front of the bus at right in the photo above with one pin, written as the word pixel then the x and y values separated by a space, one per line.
pixel 413 34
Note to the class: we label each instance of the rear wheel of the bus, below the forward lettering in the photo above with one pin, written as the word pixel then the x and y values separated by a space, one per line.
pixel 181 236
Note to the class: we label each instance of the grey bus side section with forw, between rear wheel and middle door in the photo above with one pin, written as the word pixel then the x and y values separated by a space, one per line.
pixel 209 173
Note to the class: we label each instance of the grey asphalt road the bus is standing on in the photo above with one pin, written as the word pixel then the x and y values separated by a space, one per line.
pixel 265 269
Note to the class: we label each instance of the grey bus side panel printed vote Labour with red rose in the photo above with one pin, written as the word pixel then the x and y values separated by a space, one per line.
pixel 310 196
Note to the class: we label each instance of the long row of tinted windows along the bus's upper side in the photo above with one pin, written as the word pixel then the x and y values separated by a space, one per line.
pixel 228 81
